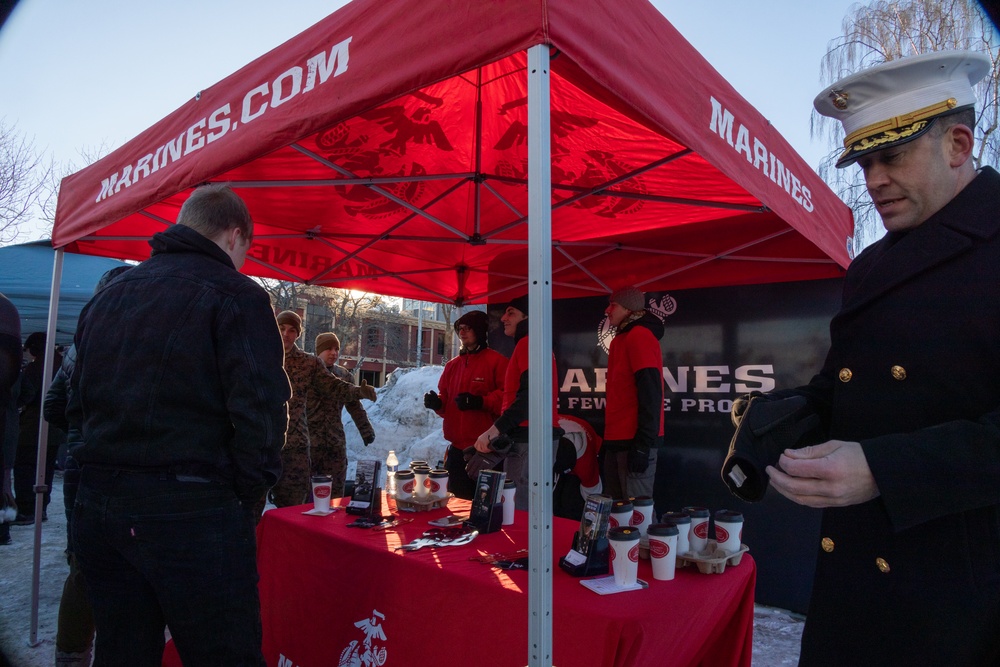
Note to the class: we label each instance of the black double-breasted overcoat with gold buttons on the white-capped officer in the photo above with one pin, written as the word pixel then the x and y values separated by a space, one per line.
pixel 913 374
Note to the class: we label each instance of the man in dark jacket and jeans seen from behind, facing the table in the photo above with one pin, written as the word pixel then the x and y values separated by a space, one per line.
pixel 180 395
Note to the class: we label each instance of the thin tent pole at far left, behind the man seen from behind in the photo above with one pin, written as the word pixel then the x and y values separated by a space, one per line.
pixel 43 441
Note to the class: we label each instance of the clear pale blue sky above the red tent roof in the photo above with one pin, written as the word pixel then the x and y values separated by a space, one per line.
pixel 79 76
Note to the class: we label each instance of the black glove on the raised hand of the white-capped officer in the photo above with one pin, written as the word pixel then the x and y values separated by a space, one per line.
pixel 765 427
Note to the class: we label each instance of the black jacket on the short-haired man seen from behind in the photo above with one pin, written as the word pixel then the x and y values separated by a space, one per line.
pixel 179 367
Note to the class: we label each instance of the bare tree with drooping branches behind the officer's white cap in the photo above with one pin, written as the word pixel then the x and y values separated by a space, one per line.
pixel 885 30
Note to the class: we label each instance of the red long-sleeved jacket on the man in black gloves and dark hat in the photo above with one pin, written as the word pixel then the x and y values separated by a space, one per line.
pixel 480 373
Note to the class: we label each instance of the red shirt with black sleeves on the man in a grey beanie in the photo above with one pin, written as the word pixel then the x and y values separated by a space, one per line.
pixel 634 408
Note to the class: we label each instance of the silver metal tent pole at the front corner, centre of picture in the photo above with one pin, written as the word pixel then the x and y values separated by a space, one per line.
pixel 539 361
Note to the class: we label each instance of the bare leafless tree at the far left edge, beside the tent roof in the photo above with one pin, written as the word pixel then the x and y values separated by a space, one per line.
pixel 25 182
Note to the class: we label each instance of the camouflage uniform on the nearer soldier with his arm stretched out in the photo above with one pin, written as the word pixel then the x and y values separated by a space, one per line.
pixel 311 385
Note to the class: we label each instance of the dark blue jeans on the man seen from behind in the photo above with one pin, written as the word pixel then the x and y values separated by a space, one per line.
pixel 161 552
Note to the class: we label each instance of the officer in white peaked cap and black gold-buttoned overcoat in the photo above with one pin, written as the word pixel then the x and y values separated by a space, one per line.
pixel 909 472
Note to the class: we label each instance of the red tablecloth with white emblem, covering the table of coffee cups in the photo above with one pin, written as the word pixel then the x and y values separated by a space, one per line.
pixel 338 596
